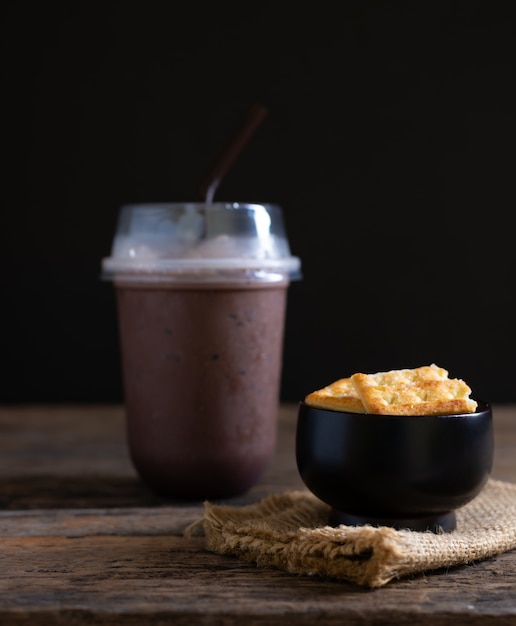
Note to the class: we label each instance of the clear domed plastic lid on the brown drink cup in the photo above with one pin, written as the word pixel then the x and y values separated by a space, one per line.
pixel 200 242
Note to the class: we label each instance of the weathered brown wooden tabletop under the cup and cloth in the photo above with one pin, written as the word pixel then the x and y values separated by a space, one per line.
pixel 82 541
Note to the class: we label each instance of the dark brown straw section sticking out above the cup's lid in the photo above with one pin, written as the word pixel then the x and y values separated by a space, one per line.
pixel 250 124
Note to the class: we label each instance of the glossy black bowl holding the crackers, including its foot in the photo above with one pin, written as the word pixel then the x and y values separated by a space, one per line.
pixel 400 471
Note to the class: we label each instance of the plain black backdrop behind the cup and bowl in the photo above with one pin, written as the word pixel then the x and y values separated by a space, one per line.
pixel 389 143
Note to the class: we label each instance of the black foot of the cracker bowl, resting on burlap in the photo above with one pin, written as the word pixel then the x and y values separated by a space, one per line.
pixel 437 524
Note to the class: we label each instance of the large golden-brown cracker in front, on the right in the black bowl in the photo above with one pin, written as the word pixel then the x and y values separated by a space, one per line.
pixel 413 392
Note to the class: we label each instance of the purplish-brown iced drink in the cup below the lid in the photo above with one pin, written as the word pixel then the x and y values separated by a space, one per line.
pixel 201 373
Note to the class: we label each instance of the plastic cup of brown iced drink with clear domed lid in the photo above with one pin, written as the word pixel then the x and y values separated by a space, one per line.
pixel 201 299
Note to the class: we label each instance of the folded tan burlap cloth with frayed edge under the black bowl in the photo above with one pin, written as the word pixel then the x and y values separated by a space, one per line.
pixel 289 531
